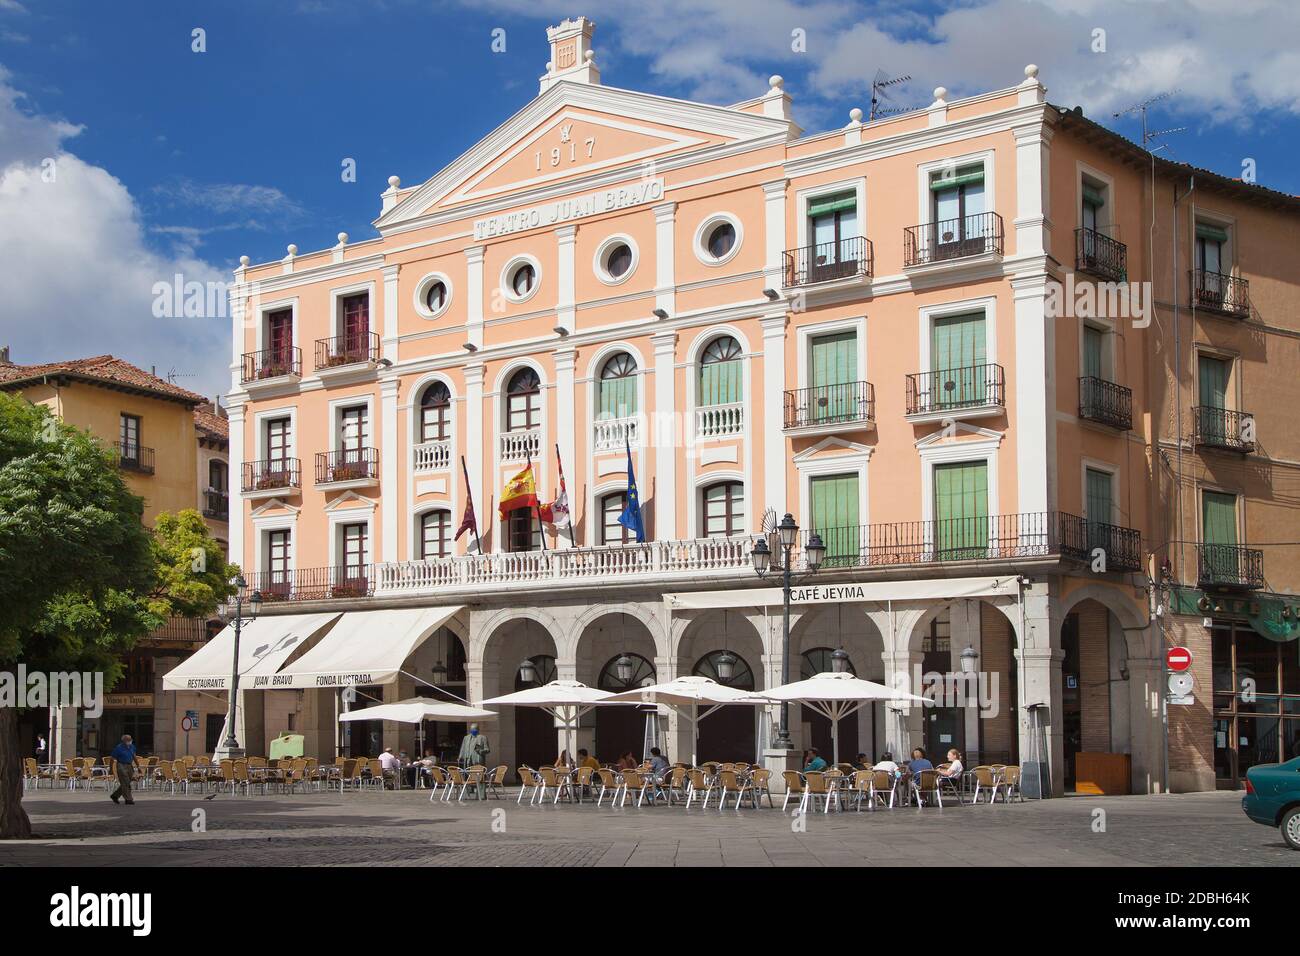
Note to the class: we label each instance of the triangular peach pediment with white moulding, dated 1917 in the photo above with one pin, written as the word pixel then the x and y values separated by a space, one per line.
pixel 580 136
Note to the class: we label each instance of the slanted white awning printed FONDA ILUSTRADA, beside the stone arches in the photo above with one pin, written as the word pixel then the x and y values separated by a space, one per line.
pixel 366 648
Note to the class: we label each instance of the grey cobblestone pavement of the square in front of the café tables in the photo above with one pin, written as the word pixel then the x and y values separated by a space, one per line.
pixel 84 829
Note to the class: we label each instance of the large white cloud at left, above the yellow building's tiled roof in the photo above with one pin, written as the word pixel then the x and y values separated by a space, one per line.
pixel 79 274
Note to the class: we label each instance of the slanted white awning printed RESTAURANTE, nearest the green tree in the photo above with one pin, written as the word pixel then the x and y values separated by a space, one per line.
pixel 266 643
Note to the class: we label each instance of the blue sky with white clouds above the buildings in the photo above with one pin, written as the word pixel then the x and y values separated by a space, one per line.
pixel 172 159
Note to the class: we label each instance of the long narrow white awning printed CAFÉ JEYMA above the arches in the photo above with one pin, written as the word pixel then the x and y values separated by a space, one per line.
pixel 816 594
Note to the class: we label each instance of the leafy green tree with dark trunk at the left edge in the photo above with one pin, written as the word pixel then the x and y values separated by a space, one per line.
pixel 81 577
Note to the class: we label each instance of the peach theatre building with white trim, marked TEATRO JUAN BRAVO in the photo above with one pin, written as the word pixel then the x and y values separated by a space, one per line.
pixel 713 318
